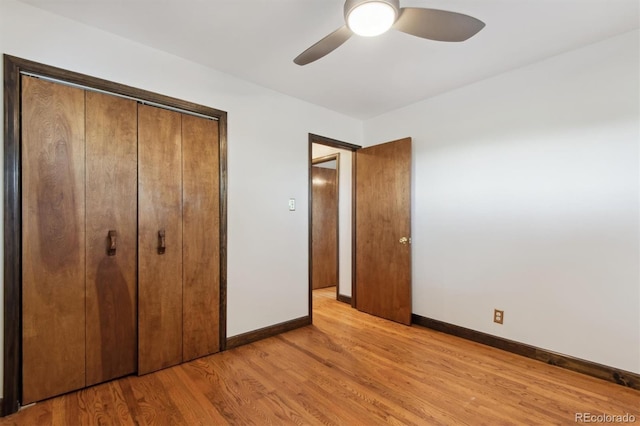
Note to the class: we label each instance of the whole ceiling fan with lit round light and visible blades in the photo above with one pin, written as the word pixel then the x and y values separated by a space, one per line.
pixel 374 17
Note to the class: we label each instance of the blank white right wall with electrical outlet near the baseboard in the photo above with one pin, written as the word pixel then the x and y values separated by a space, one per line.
pixel 526 189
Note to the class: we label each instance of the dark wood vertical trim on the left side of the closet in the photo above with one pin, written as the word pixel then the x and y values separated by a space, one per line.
pixel 12 241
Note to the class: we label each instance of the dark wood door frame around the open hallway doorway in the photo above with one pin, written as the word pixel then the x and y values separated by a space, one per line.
pixel 334 143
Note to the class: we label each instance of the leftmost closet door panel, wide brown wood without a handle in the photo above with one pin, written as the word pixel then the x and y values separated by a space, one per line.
pixel 53 239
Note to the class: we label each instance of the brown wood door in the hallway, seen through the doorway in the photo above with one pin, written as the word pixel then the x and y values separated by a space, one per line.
pixel 324 231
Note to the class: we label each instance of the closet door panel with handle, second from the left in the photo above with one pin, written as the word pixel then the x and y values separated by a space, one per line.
pixel 111 286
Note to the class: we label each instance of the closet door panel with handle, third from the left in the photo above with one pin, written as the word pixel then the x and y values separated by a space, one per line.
pixel 159 212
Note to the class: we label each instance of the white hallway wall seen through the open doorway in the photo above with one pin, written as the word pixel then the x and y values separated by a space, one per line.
pixel 344 212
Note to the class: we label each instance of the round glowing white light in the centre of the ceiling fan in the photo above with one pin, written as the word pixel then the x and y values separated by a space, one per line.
pixel 370 18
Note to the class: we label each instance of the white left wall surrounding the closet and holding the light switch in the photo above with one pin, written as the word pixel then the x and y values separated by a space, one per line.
pixel 268 152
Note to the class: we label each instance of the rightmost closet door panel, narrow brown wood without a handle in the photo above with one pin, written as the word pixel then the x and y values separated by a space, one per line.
pixel 201 246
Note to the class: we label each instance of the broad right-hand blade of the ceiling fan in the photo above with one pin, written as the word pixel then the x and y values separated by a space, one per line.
pixel 434 24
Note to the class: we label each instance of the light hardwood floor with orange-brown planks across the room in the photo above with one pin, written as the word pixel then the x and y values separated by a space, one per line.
pixel 348 368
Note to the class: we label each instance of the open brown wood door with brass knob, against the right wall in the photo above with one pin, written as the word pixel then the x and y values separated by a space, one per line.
pixel 383 230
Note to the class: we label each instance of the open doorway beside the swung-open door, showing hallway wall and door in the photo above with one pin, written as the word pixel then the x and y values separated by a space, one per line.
pixel 331 183
